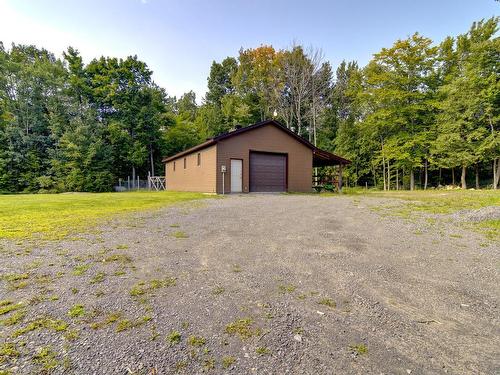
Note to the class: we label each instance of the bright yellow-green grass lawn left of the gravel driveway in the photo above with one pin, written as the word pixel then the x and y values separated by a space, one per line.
pixel 54 216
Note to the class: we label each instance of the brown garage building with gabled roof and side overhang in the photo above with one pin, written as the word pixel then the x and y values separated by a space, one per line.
pixel 263 157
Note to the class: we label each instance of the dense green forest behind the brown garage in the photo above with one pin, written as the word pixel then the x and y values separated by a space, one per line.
pixel 420 114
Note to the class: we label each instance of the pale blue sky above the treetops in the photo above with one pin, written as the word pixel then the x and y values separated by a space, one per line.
pixel 180 39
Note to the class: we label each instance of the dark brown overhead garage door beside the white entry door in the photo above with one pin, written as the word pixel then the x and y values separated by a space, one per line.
pixel 267 172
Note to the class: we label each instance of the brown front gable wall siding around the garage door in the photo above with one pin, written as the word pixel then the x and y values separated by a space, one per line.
pixel 267 138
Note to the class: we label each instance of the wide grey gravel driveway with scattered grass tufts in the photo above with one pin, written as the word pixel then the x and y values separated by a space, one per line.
pixel 262 284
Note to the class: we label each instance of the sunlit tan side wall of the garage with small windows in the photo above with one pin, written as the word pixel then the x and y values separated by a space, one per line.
pixel 200 178
